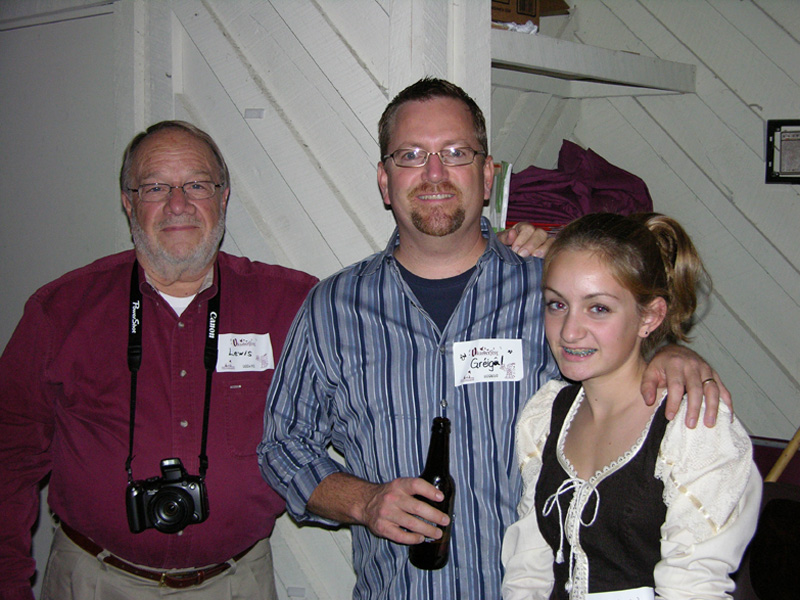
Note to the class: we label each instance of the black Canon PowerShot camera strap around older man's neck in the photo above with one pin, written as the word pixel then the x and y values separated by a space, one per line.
pixel 135 361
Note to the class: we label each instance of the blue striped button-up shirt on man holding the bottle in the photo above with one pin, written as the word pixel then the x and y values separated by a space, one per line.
pixel 366 369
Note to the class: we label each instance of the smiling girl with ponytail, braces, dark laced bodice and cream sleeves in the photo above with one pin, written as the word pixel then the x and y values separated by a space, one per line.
pixel 619 503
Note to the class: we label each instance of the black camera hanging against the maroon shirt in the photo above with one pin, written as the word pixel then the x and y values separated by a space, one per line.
pixel 168 503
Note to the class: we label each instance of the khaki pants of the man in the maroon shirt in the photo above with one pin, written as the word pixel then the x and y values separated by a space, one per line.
pixel 74 574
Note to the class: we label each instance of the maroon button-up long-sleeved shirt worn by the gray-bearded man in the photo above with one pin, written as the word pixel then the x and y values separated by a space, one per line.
pixel 65 403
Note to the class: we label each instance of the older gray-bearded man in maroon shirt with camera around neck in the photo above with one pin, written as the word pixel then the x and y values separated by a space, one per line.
pixel 138 384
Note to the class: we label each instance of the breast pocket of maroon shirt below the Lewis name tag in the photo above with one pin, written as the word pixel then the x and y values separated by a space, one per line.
pixel 244 400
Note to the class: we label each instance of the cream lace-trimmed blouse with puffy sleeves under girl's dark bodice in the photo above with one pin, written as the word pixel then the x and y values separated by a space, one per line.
pixel 712 491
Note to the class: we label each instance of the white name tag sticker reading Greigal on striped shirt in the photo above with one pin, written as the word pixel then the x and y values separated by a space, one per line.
pixel 487 360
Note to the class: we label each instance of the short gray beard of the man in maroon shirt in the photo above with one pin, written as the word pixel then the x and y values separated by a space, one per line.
pixel 171 267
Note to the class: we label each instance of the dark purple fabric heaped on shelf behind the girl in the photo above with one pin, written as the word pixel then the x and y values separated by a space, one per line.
pixel 583 183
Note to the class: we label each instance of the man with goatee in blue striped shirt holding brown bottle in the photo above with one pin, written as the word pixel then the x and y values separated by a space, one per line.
pixel 445 321
